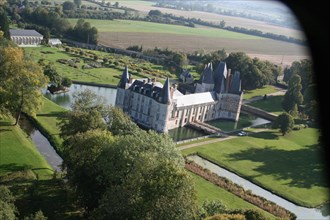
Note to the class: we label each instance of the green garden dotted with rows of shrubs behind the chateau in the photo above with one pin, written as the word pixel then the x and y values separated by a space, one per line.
pixel 74 65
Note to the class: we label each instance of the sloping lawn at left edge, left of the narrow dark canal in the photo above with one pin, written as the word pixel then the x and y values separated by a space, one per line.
pixel 18 153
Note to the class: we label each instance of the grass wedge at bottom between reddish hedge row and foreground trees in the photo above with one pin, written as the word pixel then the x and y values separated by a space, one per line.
pixel 208 191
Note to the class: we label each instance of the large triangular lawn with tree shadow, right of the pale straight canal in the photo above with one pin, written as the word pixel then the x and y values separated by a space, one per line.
pixel 290 166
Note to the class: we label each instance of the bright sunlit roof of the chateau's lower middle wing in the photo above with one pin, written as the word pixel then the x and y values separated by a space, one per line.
pixel 195 99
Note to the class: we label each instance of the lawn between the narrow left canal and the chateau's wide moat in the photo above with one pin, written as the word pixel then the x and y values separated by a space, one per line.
pixel 48 117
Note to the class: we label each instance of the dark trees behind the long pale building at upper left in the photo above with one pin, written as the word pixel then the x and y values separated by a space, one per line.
pixel 48 21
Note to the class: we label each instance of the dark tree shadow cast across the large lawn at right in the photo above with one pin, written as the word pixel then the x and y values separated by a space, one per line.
pixel 304 168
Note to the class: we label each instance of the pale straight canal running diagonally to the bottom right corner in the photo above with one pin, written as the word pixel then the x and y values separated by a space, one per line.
pixel 299 211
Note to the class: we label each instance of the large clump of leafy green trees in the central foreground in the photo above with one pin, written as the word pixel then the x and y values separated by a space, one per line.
pixel 120 171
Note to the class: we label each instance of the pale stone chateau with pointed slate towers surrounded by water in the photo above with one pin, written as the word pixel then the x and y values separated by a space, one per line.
pixel 217 95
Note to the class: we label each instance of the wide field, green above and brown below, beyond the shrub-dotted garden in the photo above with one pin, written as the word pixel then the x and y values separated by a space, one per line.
pixel 124 33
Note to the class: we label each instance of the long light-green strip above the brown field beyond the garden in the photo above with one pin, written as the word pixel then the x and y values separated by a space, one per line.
pixel 151 27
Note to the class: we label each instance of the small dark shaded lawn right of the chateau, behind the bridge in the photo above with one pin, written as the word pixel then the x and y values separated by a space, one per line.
pixel 272 104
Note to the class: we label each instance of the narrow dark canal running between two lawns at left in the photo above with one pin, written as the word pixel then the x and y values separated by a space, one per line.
pixel 42 144
